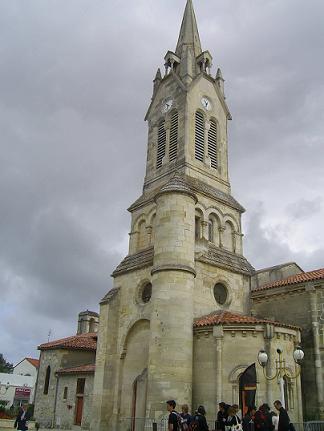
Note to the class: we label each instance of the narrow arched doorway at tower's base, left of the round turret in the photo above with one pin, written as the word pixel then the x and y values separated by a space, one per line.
pixel 139 402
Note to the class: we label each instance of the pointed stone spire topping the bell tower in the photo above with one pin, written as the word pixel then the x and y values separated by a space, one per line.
pixel 189 32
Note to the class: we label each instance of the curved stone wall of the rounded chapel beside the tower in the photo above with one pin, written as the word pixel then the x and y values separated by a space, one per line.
pixel 222 353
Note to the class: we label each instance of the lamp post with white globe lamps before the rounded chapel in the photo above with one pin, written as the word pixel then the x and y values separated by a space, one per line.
pixel 281 369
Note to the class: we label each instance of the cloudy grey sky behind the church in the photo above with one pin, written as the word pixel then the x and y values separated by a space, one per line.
pixel 75 84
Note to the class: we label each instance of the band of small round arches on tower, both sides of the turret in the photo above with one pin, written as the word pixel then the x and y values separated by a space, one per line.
pixel 212 225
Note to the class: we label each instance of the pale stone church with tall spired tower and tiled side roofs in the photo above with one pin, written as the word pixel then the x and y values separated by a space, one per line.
pixel 188 314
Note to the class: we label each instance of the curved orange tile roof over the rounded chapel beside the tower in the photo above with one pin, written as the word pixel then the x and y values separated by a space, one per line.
pixel 228 318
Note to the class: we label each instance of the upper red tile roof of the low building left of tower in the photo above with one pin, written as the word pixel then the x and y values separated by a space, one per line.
pixel 77 342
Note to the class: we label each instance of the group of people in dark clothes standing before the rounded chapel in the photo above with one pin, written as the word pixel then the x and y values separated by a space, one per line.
pixel 230 419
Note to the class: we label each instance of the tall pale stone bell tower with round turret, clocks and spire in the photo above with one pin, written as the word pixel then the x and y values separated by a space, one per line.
pixel 185 254
